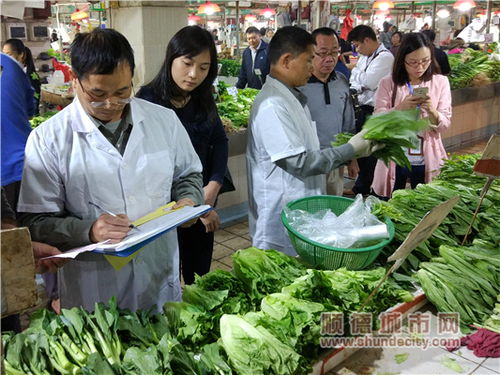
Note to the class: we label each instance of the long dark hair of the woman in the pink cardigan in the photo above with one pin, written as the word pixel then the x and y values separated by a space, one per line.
pixel 410 43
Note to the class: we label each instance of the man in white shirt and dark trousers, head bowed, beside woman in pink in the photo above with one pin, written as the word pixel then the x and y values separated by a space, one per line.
pixel 373 65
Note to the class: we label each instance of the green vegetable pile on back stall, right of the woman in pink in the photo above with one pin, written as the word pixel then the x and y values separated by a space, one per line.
pixel 472 68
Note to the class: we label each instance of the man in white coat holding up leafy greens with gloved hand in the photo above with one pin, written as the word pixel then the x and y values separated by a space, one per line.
pixel 284 159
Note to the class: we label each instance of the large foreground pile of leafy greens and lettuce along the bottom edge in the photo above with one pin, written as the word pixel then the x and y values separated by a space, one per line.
pixel 262 319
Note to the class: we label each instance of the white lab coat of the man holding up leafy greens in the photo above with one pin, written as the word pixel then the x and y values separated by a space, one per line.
pixel 279 128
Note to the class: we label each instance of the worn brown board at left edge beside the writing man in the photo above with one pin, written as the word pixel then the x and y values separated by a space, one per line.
pixel 18 271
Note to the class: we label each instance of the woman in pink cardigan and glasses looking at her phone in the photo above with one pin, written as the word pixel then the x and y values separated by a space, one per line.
pixel 415 67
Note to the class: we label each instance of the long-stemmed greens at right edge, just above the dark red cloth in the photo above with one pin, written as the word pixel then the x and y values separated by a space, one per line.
pixel 464 280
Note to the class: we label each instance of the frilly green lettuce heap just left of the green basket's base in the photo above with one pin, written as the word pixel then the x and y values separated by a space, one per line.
pixel 265 272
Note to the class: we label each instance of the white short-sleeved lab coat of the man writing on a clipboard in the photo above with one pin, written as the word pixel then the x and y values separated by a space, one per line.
pixel 69 162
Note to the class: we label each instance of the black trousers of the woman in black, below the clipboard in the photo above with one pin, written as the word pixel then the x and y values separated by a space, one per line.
pixel 196 248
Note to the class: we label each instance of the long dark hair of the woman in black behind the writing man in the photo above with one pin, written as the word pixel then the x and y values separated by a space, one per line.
pixel 189 41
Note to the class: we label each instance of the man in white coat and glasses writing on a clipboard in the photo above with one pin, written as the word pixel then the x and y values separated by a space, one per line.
pixel 127 156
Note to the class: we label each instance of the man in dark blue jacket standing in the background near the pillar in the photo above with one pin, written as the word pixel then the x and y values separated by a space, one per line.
pixel 255 64
